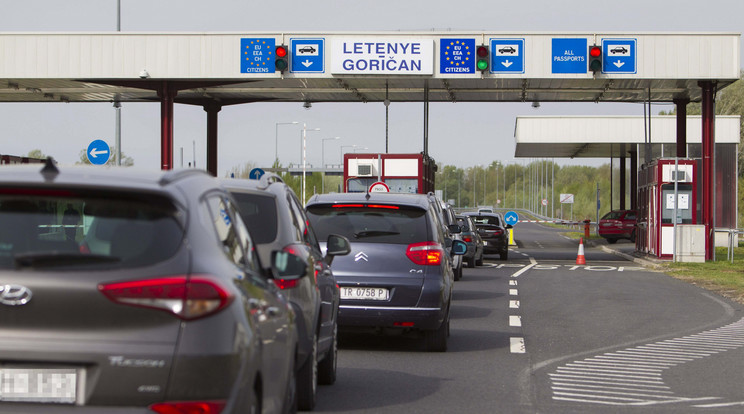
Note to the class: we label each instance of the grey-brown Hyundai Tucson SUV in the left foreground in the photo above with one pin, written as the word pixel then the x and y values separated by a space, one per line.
pixel 124 291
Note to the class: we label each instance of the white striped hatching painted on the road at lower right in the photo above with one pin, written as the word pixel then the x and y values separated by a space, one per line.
pixel 621 377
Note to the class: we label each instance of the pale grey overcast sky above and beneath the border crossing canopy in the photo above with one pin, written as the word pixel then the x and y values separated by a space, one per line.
pixel 247 132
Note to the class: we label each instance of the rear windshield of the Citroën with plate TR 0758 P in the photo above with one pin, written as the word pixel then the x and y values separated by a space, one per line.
pixel 397 225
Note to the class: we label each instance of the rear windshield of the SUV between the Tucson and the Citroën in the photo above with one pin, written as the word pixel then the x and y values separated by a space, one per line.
pixel 259 214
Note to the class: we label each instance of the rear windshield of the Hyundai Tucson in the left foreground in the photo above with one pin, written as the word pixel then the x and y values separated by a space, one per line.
pixel 70 230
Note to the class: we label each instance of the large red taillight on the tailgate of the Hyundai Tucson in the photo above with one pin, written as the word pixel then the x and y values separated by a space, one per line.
pixel 185 297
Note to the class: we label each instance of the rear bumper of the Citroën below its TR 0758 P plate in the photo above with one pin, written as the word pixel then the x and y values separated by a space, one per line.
pixel 387 317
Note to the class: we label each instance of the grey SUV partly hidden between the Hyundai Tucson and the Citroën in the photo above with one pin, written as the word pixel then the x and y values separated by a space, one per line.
pixel 277 221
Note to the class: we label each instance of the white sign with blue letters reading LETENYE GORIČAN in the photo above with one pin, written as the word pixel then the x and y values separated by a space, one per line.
pixel 387 55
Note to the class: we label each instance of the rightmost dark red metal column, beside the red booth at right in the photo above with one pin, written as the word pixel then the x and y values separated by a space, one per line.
pixel 708 140
